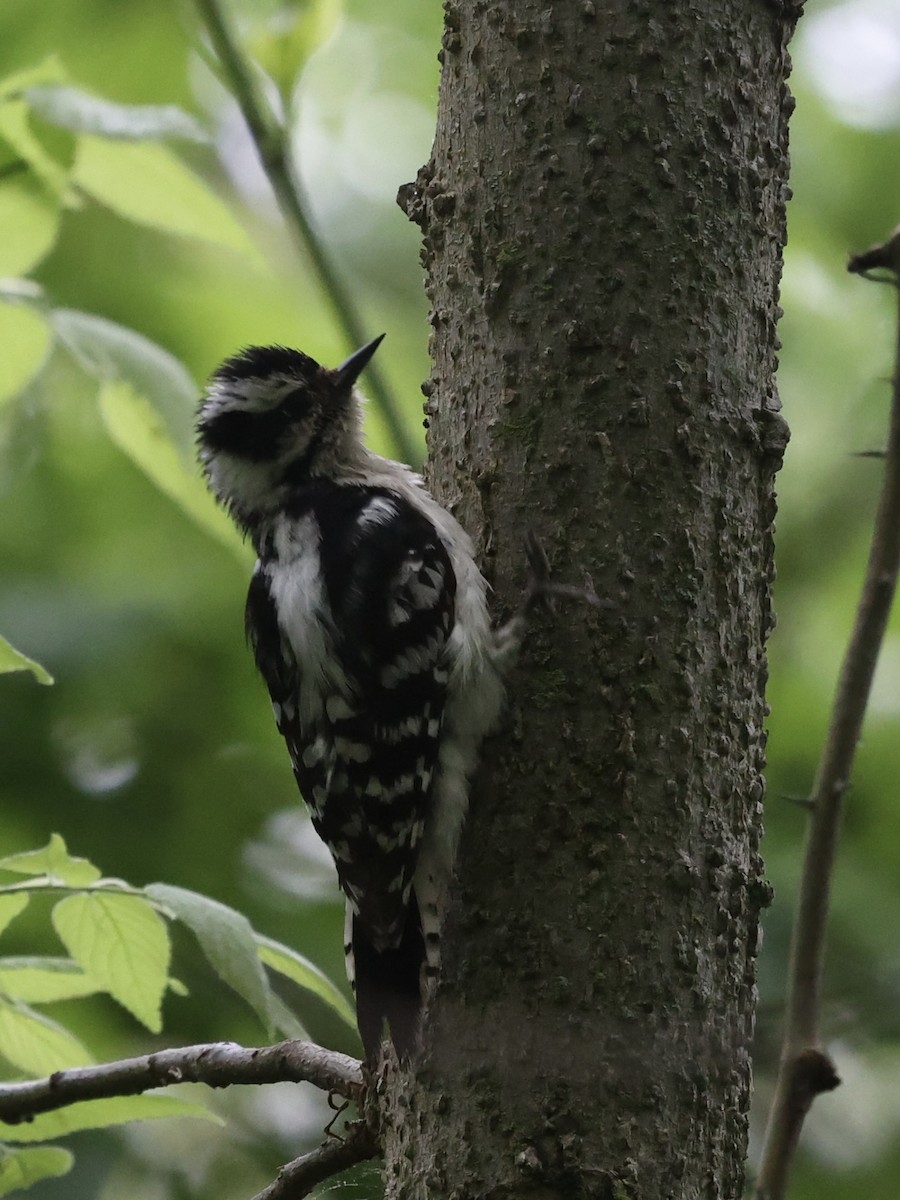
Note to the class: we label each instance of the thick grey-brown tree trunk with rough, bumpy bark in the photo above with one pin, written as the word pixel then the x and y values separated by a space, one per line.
pixel 604 220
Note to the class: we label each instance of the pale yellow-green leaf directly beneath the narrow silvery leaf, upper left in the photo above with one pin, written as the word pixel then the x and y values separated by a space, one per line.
pixel 147 183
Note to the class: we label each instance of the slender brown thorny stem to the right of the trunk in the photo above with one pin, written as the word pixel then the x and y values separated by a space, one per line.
pixel 806 1070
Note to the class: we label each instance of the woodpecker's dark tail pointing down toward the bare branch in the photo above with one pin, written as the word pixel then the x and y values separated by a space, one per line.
pixel 388 986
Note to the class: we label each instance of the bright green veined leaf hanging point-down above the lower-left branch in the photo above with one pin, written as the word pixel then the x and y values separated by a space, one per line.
pixel 122 943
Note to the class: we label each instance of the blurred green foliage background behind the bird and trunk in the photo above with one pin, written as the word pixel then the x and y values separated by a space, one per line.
pixel 155 754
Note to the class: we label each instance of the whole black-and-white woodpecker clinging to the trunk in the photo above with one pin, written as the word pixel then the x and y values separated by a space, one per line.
pixel 368 620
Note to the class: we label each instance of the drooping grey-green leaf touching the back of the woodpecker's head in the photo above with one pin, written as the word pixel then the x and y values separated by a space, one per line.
pixel 112 352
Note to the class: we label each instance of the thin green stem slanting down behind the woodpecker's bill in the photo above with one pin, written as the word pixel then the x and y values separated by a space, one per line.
pixel 273 147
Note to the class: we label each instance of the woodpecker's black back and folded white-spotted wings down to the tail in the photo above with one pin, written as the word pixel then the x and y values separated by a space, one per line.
pixel 358 662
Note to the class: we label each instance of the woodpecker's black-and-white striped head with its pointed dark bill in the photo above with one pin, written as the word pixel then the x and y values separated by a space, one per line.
pixel 273 419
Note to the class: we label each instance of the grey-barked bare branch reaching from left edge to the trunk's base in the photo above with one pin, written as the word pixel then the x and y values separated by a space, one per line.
pixel 218 1064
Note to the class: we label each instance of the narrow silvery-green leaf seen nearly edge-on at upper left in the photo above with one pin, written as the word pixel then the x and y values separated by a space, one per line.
pixel 85 113
